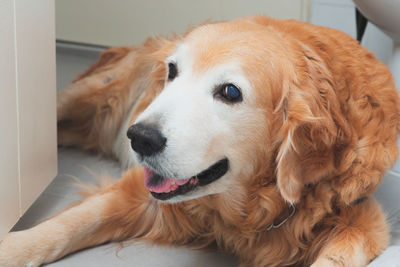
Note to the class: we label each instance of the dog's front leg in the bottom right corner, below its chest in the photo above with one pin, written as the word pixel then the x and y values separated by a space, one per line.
pixel 355 237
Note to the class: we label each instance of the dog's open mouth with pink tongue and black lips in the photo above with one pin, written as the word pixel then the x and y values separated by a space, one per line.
pixel 164 188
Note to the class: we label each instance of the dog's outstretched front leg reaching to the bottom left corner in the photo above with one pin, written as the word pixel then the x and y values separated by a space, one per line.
pixel 123 210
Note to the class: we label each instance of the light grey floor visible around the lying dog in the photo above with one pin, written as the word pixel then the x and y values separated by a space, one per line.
pixel 74 164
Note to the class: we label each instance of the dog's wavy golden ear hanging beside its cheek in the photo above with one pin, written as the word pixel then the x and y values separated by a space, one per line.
pixel 312 124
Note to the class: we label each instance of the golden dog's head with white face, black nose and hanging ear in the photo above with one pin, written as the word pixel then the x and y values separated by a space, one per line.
pixel 238 98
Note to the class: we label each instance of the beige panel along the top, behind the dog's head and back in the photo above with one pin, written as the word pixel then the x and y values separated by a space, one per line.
pixel 129 22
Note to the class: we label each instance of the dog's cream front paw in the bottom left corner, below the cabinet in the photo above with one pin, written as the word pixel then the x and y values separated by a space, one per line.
pixel 18 249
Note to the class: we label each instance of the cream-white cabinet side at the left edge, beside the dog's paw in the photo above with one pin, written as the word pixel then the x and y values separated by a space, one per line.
pixel 28 148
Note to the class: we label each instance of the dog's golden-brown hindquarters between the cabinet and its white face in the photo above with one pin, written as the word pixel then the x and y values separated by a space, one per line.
pixel 91 110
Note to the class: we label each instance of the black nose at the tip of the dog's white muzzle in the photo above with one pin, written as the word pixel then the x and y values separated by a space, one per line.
pixel 146 140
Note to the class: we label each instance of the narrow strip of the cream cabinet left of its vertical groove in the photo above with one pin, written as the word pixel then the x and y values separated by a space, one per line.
pixel 9 182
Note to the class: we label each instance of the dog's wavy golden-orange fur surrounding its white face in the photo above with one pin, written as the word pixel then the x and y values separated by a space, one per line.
pixel 331 122
